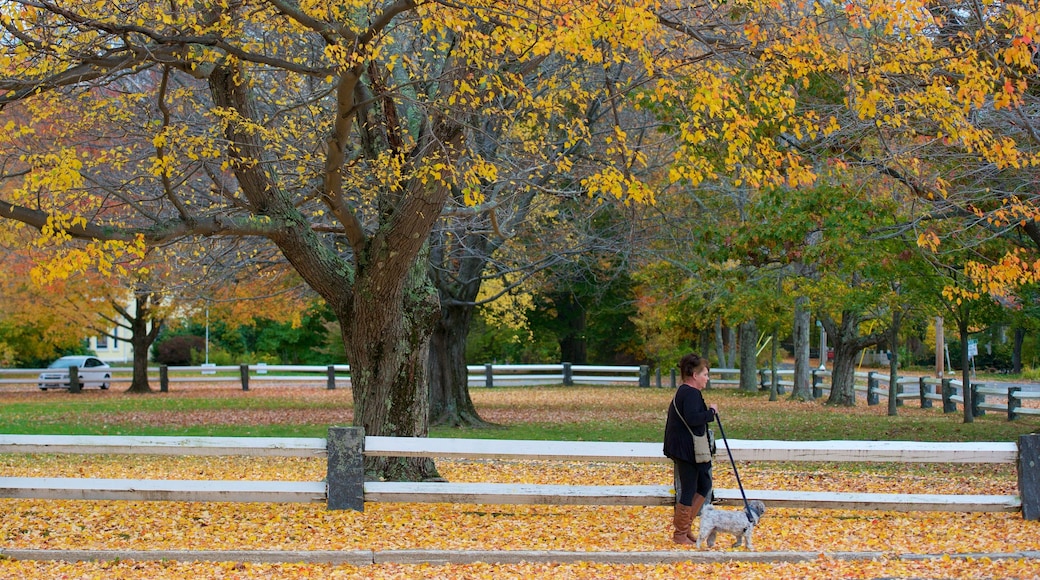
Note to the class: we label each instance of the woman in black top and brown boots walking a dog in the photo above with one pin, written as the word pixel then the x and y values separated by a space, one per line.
pixel 695 480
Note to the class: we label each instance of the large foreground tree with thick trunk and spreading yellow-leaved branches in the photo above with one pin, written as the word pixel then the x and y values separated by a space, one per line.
pixel 337 134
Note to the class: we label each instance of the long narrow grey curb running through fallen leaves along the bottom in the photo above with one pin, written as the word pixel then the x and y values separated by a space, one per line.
pixel 368 558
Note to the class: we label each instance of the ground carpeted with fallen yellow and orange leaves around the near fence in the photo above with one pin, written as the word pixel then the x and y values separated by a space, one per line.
pixel 115 525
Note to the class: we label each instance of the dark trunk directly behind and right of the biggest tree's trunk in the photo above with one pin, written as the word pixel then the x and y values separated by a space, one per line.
pixel 450 401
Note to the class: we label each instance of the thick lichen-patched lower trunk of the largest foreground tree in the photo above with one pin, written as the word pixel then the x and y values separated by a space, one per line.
pixel 388 349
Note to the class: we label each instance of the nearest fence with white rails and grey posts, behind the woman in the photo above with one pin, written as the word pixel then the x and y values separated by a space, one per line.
pixel 346 488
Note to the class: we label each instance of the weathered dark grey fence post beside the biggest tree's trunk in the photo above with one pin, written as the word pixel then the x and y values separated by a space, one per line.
pixel 346 476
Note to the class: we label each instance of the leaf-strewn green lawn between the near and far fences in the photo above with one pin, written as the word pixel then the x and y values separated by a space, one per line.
pixel 538 413
